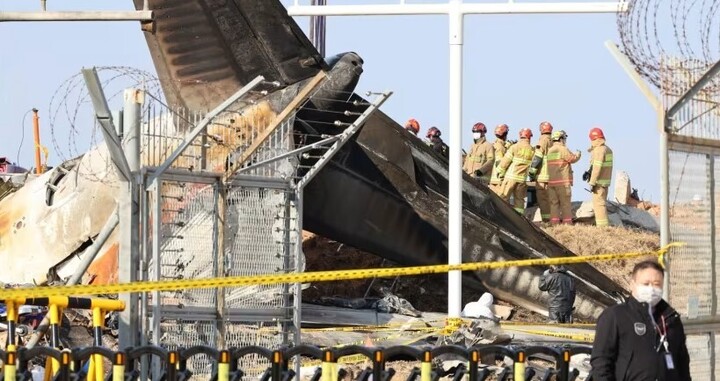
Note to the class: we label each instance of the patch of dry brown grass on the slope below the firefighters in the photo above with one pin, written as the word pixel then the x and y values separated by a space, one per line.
pixel 590 240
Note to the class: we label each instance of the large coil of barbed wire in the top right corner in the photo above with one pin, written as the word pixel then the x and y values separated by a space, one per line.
pixel 672 43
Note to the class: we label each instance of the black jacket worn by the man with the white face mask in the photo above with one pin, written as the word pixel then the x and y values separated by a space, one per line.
pixel 626 343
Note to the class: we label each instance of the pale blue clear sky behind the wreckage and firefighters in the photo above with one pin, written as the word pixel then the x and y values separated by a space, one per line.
pixel 518 69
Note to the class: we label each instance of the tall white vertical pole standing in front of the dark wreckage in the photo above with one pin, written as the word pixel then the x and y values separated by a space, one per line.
pixel 455 170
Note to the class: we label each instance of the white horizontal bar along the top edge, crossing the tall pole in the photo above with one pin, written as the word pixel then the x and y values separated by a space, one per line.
pixel 448 8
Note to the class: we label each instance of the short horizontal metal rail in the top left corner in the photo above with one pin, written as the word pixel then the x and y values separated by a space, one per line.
pixel 77 16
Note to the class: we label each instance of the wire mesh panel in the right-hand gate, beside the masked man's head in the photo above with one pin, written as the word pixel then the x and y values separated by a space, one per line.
pixel 691 289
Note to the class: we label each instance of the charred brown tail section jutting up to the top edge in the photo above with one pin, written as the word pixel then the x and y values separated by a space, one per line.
pixel 204 50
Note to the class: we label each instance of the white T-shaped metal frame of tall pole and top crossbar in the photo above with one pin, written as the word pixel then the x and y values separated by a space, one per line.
pixel 455 11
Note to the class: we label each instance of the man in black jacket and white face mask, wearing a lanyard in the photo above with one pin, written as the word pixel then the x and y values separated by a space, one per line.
pixel 643 338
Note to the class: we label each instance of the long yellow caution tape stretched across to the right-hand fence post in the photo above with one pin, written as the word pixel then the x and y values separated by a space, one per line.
pixel 318 276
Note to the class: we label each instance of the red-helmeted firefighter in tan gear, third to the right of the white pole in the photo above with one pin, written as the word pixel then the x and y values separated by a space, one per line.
pixel 513 169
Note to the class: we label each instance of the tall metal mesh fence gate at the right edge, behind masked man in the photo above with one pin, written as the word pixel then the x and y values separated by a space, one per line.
pixel 694 169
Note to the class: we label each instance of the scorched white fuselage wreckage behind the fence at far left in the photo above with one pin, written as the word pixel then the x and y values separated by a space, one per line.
pixel 35 236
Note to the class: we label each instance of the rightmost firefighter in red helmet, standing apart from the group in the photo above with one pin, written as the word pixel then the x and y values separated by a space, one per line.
pixel 599 174
